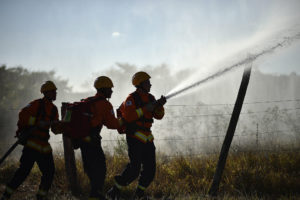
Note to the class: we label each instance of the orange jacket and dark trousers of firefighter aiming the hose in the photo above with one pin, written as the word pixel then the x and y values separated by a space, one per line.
pixel 141 149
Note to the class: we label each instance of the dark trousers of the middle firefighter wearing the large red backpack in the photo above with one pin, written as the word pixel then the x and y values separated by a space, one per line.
pixel 94 165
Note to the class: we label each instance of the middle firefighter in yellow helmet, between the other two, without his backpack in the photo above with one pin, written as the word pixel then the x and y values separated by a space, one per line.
pixel 91 150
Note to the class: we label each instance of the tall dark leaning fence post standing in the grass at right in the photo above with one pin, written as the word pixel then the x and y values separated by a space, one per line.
pixel 230 132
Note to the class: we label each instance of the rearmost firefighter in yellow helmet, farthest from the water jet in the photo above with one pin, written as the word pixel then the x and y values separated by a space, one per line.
pixel 38 116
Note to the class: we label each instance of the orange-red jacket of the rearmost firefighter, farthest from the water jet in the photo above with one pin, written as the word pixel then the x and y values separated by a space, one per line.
pixel 36 111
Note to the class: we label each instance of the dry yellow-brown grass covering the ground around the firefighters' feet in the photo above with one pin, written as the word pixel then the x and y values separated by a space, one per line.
pixel 247 176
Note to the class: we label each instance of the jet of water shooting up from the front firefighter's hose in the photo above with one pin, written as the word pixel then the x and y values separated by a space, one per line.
pixel 286 41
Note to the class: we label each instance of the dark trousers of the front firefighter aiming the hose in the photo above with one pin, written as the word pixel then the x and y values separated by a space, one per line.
pixel 140 155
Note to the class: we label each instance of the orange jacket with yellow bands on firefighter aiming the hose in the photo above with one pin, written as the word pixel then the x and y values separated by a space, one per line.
pixel 134 112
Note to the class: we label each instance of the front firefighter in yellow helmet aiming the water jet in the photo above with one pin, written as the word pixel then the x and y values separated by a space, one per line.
pixel 138 111
